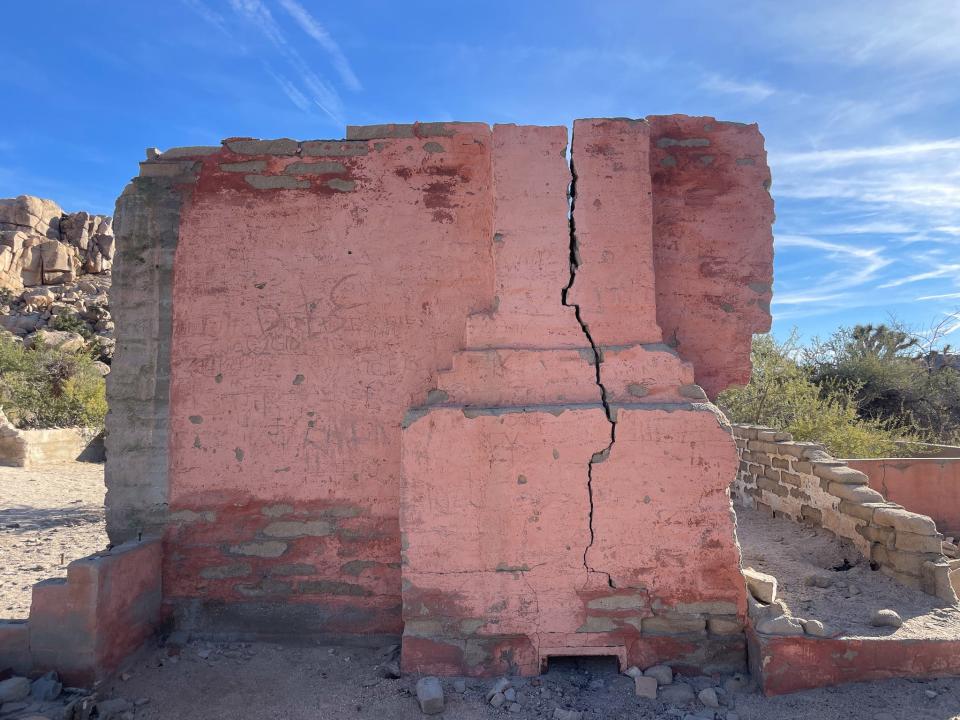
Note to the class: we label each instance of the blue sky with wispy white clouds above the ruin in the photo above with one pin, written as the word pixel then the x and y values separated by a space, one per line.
pixel 859 102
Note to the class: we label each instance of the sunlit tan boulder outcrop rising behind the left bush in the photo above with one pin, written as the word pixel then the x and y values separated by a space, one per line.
pixel 55 274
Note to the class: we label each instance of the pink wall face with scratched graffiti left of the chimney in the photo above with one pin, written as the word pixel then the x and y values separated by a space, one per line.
pixel 329 314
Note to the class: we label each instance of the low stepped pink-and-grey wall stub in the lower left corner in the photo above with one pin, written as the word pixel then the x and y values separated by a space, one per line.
pixel 85 625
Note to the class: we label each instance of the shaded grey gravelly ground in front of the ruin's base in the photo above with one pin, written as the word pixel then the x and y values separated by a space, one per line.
pixel 221 682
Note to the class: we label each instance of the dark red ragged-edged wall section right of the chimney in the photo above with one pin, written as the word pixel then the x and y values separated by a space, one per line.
pixel 713 244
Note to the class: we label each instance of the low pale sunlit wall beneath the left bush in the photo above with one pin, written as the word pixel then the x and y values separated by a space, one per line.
pixel 35 448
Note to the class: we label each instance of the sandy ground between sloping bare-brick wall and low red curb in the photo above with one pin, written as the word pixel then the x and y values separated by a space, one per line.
pixel 794 553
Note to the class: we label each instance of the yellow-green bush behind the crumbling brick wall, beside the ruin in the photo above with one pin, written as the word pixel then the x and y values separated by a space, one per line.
pixel 782 395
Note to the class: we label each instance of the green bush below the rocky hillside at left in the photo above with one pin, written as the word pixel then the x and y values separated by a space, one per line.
pixel 45 388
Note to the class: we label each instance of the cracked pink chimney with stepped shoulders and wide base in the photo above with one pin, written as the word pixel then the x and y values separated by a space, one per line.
pixel 532 525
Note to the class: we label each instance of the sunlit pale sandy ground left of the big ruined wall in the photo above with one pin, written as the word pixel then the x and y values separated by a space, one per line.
pixel 48 517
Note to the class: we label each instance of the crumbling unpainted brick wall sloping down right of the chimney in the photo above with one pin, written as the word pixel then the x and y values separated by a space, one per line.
pixel 804 482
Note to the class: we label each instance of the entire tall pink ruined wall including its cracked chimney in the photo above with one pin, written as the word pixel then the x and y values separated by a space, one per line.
pixel 282 305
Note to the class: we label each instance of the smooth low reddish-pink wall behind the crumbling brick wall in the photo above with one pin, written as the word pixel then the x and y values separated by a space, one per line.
pixel 929 486
